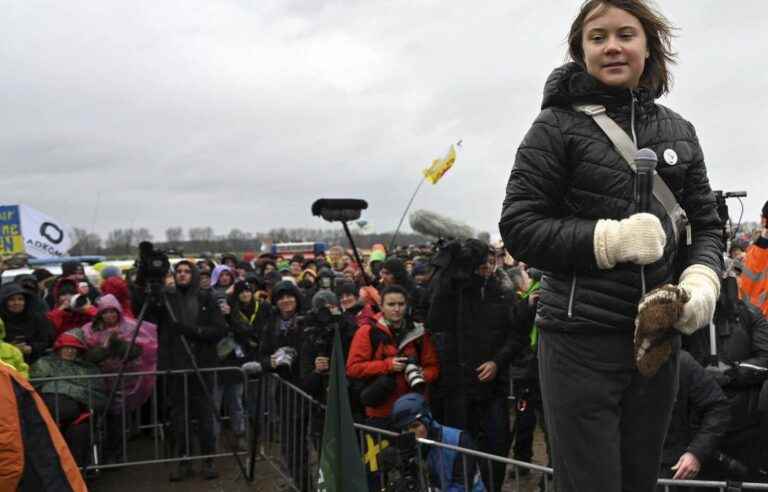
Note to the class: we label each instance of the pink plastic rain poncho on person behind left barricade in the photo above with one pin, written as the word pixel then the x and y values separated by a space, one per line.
pixel 133 390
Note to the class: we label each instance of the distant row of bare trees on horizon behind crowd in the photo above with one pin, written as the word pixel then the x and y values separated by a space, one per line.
pixel 125 242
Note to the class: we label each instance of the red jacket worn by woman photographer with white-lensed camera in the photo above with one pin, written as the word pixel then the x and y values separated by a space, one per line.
pixel 364 363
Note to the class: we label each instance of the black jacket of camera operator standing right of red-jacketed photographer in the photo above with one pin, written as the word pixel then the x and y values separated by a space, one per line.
pixel 478 326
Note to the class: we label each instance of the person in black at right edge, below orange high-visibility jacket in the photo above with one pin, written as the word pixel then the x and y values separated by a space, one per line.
pixel 742 338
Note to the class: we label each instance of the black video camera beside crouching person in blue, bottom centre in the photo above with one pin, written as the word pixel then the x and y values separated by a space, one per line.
pixel 401 464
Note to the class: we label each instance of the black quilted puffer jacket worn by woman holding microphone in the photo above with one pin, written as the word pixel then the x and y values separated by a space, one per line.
pixel 567 176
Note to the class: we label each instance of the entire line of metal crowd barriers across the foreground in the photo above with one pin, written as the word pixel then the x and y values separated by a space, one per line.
pixel 286 431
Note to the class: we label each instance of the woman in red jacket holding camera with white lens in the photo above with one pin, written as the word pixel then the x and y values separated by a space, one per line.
pixel 384 352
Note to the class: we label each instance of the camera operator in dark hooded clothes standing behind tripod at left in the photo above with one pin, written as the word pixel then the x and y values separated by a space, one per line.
pixel 187 311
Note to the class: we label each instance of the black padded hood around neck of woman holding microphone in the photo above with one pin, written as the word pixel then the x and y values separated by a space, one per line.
pixel 570 84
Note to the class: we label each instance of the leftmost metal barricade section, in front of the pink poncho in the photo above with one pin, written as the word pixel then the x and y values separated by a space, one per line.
pixel 155 416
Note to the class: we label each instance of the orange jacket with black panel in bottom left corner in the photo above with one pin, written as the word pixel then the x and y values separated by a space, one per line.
pixel 31 443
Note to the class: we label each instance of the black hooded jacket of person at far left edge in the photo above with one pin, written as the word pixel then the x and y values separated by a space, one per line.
pixel 29 326
